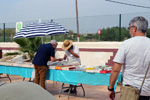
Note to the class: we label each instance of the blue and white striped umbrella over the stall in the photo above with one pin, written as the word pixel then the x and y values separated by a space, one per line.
pixel 40 30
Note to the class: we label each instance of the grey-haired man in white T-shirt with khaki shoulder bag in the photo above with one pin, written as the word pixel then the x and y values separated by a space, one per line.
pixel 133 57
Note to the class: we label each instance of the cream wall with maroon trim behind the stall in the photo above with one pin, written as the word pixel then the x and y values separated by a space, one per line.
pixel 91 53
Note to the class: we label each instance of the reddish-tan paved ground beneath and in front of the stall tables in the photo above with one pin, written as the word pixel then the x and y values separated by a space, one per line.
pixel 91 92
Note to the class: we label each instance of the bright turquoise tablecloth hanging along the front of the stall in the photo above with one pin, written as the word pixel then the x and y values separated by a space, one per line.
pixel 68 77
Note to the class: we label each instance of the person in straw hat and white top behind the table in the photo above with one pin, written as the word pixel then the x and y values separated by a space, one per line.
pixel 71 54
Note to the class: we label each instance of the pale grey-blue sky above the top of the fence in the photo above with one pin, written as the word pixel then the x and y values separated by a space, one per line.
pixel 27 10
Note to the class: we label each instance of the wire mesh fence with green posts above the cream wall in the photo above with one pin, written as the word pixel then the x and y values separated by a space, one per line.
pixel 88 27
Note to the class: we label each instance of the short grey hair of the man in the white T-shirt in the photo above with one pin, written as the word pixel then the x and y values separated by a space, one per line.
pixel 141 23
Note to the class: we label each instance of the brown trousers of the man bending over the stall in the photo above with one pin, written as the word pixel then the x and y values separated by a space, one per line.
pixel 40 75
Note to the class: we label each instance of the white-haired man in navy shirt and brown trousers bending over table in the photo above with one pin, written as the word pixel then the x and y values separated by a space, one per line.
pixel 44 53
